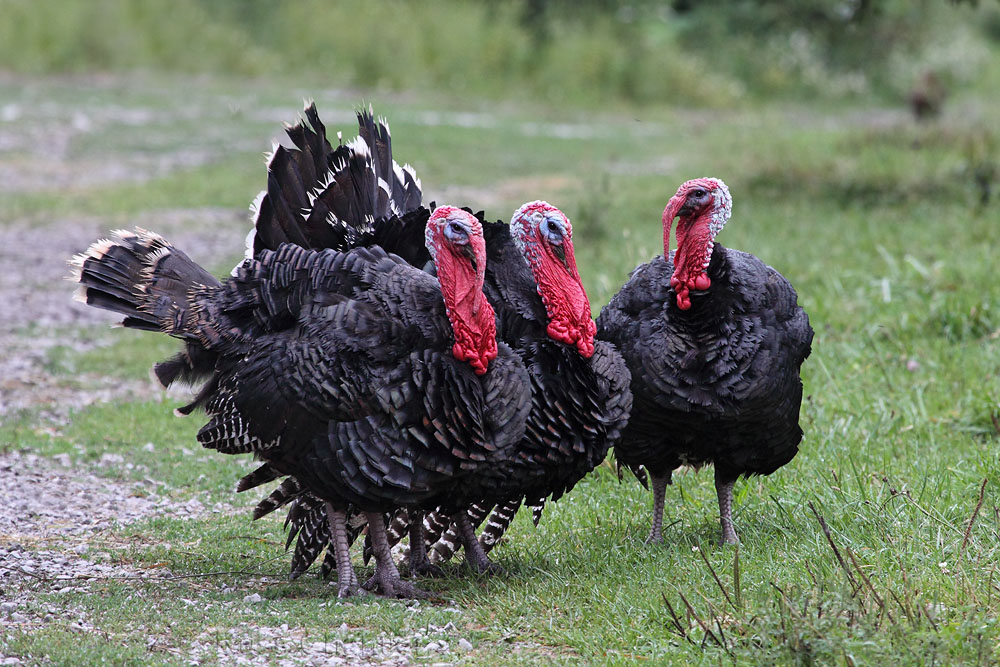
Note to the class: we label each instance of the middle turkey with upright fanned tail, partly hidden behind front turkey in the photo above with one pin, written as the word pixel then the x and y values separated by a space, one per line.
pixel 356 195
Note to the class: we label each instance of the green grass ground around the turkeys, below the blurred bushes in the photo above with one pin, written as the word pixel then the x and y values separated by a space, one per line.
pixel 872 545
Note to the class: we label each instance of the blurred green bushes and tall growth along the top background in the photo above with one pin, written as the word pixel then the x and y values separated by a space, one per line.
pixel 590 52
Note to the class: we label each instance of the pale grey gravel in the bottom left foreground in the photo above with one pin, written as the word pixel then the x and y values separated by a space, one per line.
pixel 55 524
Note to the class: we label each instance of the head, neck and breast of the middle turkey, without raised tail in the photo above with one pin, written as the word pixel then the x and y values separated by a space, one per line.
pixel 580 400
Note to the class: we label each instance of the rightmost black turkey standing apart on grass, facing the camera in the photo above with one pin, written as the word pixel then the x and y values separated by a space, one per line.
pixel 714 339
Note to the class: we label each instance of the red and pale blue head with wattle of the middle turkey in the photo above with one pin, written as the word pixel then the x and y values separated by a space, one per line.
pixel 544 236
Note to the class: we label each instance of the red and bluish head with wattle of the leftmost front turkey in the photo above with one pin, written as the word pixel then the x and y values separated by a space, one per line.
pixel 454 239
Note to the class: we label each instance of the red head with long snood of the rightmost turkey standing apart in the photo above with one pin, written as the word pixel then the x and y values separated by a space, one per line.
pixel 703 206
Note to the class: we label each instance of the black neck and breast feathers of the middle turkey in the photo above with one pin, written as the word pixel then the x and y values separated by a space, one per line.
pixel 579 404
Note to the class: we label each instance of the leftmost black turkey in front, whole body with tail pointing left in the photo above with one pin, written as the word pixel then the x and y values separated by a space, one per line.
pixel 369 383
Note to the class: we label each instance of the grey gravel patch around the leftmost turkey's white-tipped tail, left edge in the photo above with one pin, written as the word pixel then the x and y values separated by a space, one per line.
pixel 37 312
